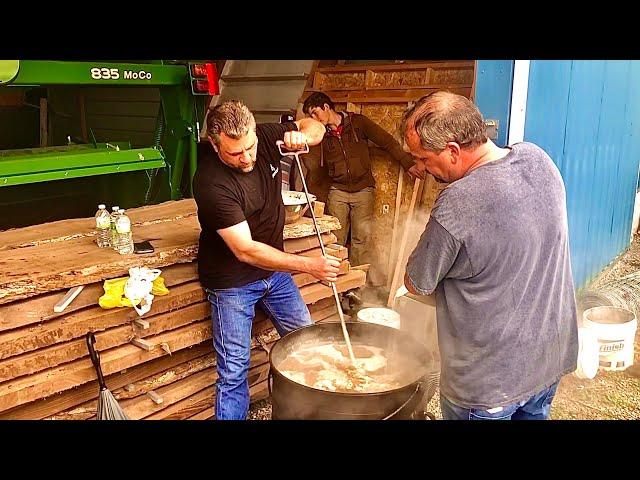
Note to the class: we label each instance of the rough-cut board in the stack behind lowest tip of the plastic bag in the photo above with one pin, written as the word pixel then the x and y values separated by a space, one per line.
pixel 24 339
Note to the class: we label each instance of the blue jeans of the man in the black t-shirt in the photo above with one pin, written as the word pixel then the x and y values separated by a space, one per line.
pixel 232 312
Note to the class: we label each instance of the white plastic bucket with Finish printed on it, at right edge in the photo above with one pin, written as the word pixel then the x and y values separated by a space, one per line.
pixel 615 328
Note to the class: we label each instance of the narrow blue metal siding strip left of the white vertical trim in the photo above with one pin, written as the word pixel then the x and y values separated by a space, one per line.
pixel 493 93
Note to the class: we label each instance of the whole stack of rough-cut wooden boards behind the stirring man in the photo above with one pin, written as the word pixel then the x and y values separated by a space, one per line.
pixel 158 366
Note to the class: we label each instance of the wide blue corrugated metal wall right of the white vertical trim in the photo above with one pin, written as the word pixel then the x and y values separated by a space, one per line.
pixel 586 115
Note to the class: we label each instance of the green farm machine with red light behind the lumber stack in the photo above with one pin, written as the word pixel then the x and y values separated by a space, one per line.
pixel 75 134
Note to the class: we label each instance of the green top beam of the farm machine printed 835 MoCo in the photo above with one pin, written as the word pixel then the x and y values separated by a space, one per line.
pixel 37 72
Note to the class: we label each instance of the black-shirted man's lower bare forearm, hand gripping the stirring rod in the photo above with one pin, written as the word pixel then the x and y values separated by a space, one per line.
pixel 238 239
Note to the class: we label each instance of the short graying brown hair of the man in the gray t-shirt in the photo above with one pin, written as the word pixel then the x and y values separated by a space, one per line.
pixel 442 117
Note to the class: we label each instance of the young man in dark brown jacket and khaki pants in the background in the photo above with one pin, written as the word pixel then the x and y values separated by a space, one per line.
pixel 345 152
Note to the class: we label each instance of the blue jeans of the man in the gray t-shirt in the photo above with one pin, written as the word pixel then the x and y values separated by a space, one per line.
pixel 537 407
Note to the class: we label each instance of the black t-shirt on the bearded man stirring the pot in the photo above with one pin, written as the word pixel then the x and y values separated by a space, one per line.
pixel 226 197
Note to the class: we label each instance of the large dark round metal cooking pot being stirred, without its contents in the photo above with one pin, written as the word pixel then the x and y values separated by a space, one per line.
pixel 292 400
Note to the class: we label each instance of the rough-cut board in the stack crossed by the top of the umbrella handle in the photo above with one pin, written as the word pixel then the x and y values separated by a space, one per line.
pixel 54 355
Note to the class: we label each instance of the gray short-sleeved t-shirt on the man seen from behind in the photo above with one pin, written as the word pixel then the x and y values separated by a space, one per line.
pixel 496 252
